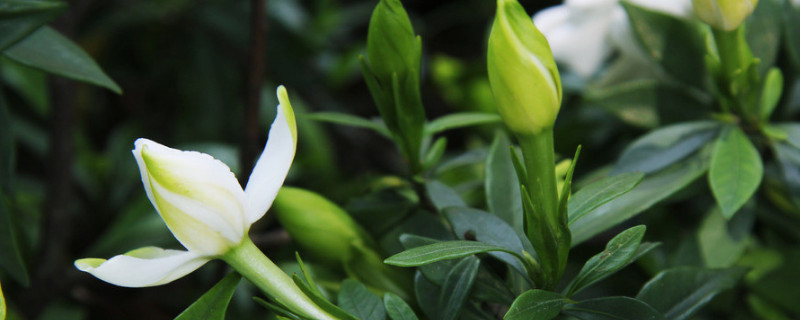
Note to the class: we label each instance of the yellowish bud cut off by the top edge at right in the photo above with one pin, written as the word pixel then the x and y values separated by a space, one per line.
pixel 724 14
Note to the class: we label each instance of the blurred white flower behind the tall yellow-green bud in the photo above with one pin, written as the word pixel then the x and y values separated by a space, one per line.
pixel 584 33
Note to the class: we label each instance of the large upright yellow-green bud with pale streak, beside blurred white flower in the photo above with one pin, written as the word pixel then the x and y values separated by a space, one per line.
pixel 522 73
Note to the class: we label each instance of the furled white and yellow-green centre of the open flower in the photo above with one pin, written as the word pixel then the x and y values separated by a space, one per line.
pixel 198 197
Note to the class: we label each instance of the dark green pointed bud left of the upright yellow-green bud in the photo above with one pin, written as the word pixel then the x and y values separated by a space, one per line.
pixel 391 44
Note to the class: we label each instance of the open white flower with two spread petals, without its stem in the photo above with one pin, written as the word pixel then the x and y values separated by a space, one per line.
pixel 202 203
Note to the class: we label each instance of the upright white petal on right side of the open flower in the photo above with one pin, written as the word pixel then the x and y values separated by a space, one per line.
pixel 272 167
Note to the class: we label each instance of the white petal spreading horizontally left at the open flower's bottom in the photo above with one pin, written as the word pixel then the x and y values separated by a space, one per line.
pixel 145 267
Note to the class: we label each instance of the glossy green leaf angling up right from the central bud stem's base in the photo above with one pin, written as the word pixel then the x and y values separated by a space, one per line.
pixel 619 253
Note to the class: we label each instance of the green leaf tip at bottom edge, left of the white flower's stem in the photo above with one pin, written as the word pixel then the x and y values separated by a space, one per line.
pixel 213 304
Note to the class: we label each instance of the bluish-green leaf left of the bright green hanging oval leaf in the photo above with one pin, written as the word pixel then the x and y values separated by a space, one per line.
pixel 664 147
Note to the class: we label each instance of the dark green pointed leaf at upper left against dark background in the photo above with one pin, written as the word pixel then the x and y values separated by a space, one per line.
pixel 48 50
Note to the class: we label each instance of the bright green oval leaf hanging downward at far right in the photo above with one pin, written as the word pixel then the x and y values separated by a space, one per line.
pixel 736 171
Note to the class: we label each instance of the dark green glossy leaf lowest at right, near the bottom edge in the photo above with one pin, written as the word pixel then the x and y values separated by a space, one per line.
pixel 680 292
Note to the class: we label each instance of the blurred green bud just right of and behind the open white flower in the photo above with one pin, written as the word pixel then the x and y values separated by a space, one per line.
pixel 319 226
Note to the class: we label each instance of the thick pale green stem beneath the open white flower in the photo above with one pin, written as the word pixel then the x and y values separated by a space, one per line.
pixel 251 263
